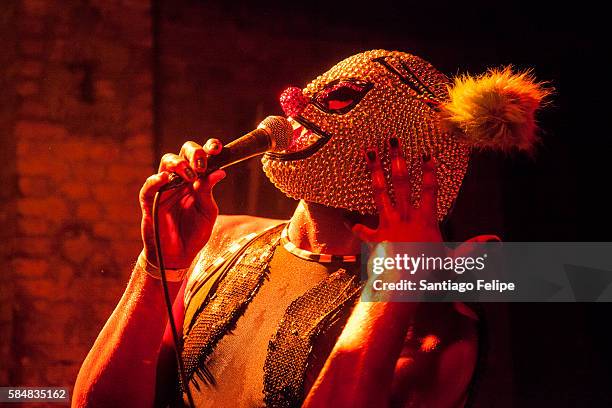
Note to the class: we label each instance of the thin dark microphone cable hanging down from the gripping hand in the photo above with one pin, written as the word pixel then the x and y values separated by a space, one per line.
pixel 167 300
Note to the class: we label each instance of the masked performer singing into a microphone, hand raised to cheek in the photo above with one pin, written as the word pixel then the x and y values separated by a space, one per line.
pixel 269 309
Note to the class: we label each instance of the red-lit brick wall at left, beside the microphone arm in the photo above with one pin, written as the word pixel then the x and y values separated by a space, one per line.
pixel 82 132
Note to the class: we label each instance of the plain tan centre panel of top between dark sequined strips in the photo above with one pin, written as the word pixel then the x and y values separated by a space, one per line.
pixel 237 363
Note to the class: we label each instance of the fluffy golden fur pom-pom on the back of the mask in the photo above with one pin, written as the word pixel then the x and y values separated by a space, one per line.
pixel 495 110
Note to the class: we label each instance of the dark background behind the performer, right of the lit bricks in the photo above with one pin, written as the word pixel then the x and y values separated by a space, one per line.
pixel 223 67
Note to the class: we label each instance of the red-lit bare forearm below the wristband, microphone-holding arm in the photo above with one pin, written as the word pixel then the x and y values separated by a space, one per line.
pixel 120 368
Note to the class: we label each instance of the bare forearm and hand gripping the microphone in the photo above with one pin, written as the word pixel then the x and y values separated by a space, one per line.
pixel 120 369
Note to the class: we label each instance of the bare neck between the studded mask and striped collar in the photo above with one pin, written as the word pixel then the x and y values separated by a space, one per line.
pixel 322 229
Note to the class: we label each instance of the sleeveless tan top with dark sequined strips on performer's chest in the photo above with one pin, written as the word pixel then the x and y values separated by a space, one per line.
pixel 261 337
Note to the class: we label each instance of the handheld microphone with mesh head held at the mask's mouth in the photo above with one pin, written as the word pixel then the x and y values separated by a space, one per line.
pixel 273 133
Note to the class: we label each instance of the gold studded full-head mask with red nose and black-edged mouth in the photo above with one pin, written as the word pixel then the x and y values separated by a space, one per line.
pixel 357 105
